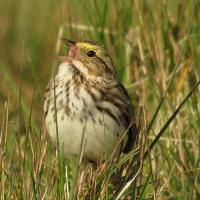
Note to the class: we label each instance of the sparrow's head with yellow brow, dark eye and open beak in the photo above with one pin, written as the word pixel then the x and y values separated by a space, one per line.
pixel 91 59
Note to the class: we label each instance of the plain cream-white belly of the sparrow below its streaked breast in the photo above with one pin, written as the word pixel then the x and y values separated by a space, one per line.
pixel 99 136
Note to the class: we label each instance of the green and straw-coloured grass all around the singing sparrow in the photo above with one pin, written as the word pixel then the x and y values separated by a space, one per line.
pixel 155 46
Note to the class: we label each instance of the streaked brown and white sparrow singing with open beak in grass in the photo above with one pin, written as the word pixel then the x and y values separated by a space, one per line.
pixel 89 98
